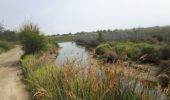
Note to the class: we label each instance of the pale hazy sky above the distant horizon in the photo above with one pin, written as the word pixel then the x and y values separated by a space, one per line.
pixel 65 16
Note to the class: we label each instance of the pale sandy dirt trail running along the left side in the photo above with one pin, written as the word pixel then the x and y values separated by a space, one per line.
pixel 11 86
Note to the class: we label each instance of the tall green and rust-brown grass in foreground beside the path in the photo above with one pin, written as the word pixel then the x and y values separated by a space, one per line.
pixel 73 82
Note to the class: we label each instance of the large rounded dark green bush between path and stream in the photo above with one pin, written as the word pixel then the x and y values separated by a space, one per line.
pixel 32 40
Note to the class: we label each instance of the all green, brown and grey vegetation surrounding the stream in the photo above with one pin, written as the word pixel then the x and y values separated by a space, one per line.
pixel 70 81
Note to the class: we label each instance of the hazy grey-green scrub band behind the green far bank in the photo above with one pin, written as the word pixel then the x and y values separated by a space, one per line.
pixel 151 34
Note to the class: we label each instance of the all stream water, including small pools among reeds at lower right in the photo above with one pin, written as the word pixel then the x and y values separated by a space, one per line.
pixel 73 52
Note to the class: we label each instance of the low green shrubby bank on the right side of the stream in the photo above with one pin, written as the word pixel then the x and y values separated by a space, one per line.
pixel 143 52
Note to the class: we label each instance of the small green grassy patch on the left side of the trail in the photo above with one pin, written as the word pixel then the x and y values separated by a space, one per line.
pixel 5 46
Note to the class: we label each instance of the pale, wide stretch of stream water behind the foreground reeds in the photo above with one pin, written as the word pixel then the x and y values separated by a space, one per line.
pixel 70 51
